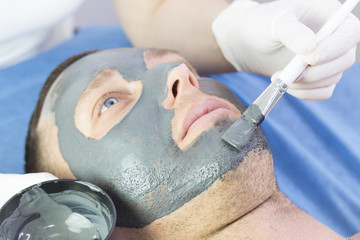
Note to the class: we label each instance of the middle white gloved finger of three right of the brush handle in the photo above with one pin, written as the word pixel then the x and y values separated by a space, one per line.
pixel 323 71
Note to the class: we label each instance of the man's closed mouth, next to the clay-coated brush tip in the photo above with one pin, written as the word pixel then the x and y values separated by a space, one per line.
pixel 204 115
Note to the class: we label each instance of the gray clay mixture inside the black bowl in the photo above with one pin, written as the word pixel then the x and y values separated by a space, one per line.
pixel 70 215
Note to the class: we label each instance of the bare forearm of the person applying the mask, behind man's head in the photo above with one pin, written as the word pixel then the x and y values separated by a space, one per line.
pixel 152 17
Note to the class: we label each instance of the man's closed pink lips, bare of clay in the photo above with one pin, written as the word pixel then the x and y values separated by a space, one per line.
pixel 205 111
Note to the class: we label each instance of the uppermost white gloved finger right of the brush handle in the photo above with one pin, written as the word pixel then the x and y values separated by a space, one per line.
pixel 346 36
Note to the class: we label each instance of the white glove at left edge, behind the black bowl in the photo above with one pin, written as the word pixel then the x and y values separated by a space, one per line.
pixel 10 184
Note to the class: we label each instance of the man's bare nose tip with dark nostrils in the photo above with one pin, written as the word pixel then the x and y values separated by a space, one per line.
pixel 181 82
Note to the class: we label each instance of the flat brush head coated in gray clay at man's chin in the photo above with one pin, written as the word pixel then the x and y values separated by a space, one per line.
pixel 239 134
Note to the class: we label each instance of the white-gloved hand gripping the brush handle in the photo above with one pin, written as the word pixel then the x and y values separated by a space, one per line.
pixel 263 38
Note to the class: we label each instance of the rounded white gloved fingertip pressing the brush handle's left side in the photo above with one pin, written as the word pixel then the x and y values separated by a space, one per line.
pixel 294 35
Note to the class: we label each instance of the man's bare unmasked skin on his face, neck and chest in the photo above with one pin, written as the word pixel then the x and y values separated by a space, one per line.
pixel 243 204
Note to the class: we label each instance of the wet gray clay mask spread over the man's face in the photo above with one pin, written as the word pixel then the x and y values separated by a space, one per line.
pixel 137 162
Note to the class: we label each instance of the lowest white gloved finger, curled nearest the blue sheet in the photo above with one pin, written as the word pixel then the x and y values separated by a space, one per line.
pixel 313 94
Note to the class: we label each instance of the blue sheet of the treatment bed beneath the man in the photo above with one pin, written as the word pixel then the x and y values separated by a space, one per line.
pixel 316 145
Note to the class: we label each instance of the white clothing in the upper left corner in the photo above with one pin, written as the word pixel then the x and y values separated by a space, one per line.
pixel 28 27
